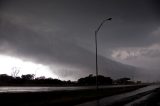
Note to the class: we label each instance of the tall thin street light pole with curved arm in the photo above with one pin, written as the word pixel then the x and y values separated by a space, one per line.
pixel 96 33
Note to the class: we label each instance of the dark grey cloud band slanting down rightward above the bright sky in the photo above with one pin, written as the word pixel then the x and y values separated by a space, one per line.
pixel 52 50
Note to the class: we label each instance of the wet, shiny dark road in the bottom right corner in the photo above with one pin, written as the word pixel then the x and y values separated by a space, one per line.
pixel 126 99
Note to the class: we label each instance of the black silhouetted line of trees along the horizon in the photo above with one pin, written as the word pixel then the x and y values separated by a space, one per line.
pixel 30 80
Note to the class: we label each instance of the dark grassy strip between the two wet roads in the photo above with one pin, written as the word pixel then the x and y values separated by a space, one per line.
pixel 61 98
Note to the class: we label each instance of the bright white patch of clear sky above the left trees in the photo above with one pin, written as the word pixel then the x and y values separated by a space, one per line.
pixel 7 63
